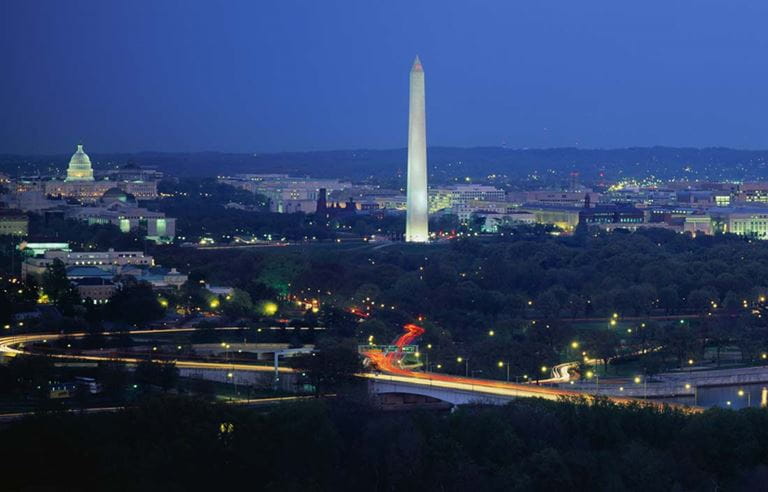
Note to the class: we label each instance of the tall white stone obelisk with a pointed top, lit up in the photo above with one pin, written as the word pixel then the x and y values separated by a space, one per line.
pixel 417 206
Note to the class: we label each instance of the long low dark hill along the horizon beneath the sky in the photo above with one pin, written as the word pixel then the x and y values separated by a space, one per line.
pixel 446 163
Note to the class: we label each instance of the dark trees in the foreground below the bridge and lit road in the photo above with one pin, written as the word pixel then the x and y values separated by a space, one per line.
pixel 531 445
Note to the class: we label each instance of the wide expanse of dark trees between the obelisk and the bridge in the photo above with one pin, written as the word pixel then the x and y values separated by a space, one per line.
pixel 469 288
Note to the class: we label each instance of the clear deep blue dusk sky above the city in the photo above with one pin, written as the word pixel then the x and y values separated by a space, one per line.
pixel 260 75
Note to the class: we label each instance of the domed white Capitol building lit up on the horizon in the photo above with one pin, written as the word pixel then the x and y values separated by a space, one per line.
pixel 81 184
